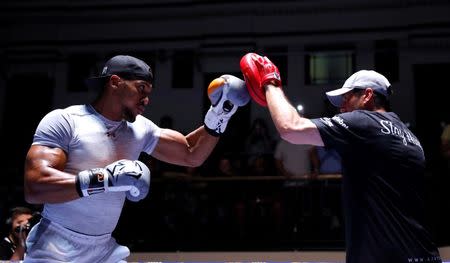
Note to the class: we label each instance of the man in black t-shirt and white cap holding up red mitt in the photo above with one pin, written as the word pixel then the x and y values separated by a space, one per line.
pixel 383 162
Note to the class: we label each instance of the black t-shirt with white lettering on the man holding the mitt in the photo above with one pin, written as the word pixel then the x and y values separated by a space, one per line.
pixel 383 178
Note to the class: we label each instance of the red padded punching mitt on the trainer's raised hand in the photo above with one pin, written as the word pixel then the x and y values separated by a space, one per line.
pixel 259 71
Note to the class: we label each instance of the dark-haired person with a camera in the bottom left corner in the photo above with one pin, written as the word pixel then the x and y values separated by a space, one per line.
pixel 12 246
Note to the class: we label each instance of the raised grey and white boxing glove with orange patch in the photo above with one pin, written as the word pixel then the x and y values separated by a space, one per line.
pixel 226 94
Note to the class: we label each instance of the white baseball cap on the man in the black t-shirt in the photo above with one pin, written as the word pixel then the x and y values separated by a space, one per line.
pixel 361 80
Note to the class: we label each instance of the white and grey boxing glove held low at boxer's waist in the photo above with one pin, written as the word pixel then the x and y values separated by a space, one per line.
pixel 132 177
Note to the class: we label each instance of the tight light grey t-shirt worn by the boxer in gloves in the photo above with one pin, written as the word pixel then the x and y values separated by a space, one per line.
pixel 92 141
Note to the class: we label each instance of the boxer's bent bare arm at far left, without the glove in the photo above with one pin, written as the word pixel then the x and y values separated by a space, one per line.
pixel 45 181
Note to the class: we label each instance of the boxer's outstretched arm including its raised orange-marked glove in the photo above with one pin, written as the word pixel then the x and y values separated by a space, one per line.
pixel 226 94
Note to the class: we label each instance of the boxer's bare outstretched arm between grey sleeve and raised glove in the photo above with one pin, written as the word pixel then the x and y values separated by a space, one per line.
pixel 191 150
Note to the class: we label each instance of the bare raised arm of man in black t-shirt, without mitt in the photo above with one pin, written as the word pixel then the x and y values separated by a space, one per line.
pixel 290 125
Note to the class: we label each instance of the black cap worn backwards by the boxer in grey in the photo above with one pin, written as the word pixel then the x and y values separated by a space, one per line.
pixel 124 66
